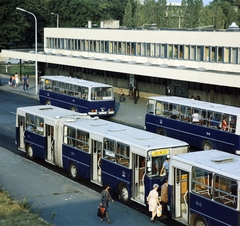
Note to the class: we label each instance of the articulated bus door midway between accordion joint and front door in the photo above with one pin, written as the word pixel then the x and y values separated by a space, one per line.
pixel 96 161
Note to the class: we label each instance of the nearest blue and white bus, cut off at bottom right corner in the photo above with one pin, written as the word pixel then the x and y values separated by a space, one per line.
pixel 204 188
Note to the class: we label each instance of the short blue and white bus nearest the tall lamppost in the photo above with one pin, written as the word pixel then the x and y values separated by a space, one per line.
pixel 78 95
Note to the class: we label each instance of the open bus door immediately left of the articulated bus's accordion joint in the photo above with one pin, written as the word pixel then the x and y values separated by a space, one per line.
pixel 50 144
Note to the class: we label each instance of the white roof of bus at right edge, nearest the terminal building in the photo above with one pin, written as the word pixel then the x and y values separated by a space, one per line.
pixel 198 104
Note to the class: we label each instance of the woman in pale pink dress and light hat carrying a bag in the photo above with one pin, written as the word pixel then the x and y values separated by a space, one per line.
pixel 153 201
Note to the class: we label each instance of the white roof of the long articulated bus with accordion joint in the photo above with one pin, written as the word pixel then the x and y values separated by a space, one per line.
pixel 122 133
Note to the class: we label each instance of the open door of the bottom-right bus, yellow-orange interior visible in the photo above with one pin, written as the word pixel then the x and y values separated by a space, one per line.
pixel 181 195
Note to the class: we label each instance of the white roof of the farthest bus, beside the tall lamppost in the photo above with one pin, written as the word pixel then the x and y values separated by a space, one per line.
pixel 75 81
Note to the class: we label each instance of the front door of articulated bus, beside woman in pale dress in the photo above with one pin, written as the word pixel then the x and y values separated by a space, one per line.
pixel 138 166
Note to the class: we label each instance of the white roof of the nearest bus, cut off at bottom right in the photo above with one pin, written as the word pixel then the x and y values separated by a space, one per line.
pixel 212 160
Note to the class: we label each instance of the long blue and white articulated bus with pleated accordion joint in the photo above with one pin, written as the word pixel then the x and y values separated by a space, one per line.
pixel 101 151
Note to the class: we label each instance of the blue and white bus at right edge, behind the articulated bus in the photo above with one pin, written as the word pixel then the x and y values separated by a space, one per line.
pixel 203 125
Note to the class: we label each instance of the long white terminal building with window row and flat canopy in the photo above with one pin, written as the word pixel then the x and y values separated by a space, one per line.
pixel 194 62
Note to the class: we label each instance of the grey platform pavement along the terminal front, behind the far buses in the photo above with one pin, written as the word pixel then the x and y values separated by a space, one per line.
pixel 130 112
